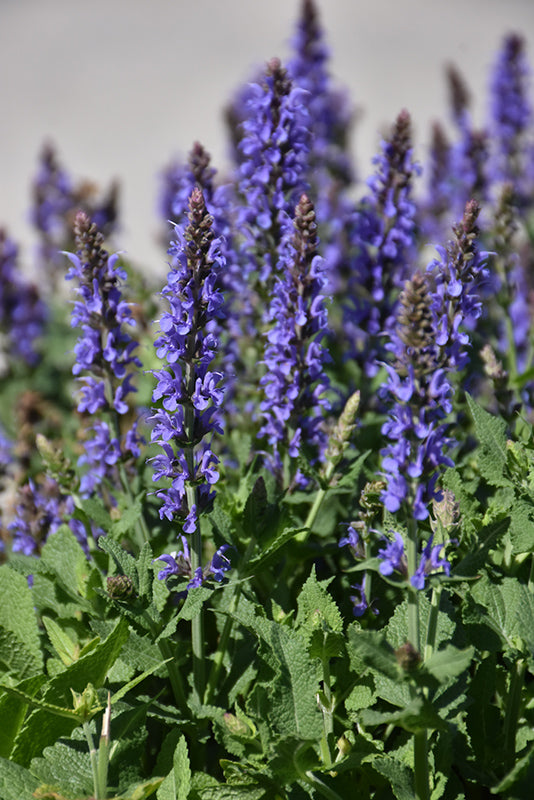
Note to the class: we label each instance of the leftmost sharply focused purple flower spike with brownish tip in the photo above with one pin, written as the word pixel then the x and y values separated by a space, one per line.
pixel 105 357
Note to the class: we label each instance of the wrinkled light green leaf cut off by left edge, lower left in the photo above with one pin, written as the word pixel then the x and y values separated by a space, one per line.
pixel 20 650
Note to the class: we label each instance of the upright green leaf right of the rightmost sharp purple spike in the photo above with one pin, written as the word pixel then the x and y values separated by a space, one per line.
pixel 491 433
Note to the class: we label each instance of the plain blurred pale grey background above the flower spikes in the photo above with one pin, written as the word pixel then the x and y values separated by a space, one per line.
pixel 122 86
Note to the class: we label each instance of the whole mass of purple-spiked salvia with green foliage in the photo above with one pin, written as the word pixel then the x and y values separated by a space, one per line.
pixel 267 525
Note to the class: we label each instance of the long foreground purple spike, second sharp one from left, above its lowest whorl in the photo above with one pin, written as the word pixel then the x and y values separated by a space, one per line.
pixel 187 389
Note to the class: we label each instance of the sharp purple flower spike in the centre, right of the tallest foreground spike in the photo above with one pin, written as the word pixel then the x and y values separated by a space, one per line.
pixel 295 382
